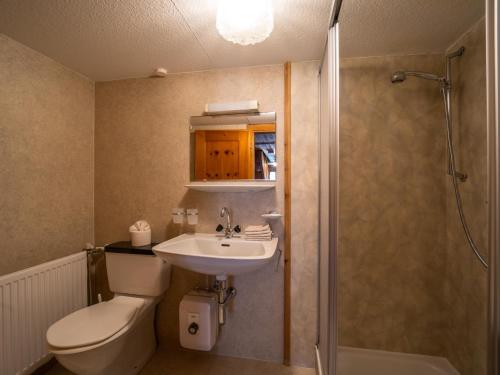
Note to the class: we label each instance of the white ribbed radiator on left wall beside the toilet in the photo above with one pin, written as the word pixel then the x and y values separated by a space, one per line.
pixel 31 300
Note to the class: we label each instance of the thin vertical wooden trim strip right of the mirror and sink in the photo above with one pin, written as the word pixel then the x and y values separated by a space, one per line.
pixel 288 210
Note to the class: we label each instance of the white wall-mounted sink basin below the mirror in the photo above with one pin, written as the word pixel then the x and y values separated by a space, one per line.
pixel 213 255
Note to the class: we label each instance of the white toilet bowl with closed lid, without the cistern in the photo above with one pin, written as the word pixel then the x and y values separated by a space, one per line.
pixel 114 337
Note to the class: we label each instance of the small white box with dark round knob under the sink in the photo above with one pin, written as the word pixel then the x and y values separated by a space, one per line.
pixel 198 321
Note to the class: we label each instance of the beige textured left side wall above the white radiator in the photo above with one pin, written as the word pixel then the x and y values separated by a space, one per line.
pixel 46 158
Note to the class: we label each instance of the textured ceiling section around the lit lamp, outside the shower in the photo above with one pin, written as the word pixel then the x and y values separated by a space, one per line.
pixel 111 39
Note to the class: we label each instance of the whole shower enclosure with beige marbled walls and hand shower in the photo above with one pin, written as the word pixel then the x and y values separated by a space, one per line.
pixel 408 278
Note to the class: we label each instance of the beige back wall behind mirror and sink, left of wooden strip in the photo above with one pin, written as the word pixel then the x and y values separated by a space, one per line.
pixel 142 164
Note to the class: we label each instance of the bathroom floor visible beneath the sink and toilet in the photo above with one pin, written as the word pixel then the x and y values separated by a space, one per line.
pixel 183 362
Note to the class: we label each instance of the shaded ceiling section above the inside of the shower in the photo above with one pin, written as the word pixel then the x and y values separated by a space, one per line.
pixel 393 27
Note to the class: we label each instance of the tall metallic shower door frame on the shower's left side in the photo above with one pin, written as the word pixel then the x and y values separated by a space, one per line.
pixel 326 347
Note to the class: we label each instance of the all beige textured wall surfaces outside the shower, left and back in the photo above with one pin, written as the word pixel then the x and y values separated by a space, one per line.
pixel 142 139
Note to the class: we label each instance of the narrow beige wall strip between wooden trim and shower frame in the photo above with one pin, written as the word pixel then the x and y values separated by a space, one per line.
pixel 304 241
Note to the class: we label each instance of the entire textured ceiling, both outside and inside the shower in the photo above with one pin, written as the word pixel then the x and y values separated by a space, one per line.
pixel 111 39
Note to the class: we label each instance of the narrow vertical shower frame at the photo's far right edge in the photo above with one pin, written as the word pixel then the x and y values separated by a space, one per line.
pixel 493 97
